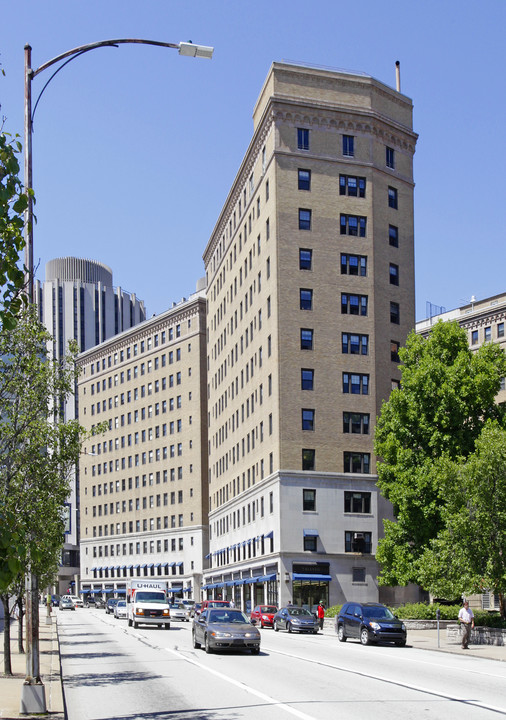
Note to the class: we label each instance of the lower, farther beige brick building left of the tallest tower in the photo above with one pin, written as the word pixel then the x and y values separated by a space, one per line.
pixel 143 483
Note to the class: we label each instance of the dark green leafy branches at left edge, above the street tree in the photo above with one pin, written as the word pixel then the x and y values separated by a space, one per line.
pixel 13 202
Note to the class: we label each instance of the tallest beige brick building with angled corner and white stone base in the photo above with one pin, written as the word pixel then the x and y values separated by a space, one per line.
pixel 280 269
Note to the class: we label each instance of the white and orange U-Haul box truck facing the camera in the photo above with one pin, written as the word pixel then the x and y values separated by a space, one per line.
pixel 147 603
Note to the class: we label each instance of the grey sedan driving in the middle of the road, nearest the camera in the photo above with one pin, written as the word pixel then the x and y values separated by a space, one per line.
pixel 225 629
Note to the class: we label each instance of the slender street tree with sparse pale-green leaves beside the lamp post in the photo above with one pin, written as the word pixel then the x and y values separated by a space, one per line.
pixel 38 449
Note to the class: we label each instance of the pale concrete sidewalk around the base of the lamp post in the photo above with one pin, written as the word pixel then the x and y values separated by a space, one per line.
pixel 10 687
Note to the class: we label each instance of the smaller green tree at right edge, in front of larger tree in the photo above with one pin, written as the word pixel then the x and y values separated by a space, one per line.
pixel 469 553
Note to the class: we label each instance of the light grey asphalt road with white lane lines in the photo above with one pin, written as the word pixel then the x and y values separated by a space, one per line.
pixel 112 671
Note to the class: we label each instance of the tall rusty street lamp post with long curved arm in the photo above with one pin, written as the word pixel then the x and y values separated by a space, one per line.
pixel 33 694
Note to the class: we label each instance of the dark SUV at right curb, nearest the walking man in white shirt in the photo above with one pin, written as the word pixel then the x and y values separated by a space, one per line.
pixel 369 622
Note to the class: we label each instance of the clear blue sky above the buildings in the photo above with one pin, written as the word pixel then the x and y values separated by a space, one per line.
pixel 135 148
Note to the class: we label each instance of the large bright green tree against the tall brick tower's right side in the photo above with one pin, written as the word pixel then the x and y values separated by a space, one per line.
pixel 447 394
